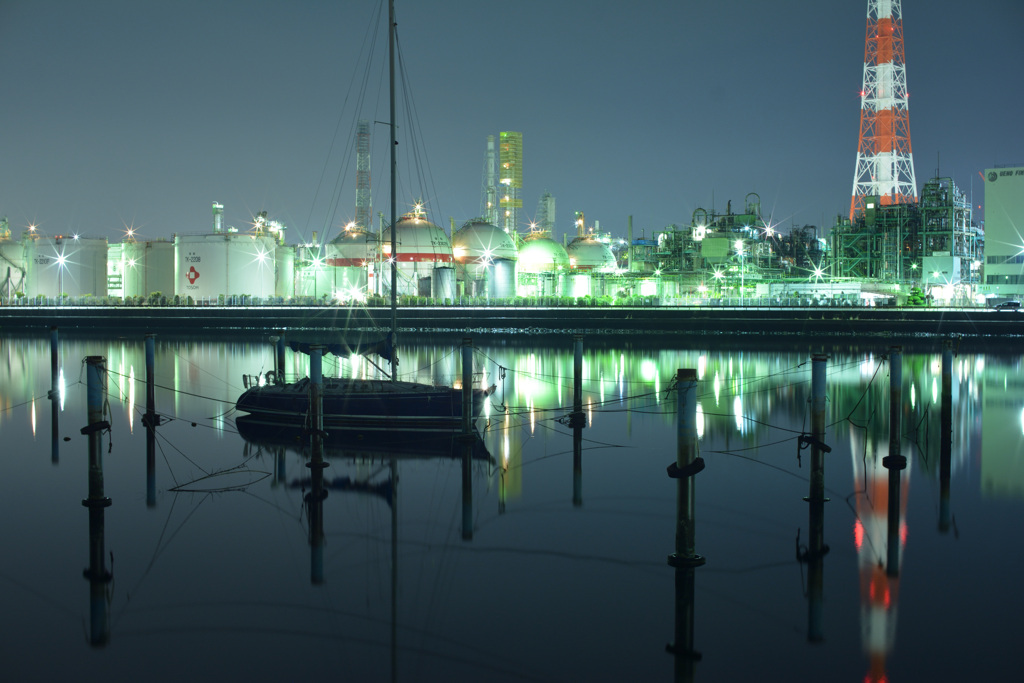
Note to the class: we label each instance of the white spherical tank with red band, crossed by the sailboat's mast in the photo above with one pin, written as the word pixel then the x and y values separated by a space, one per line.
pixel 422 247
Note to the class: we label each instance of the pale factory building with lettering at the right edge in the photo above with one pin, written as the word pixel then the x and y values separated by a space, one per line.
pixel 1004 268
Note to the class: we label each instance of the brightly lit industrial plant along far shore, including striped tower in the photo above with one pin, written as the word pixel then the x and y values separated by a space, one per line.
pixel 895 245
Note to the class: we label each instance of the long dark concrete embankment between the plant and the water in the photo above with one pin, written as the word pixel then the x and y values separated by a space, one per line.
pixel 803 322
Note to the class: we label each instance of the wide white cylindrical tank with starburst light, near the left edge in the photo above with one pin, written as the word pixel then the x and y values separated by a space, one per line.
pixel 75 267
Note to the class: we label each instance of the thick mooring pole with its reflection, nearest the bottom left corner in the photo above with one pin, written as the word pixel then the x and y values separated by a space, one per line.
pixel 97 573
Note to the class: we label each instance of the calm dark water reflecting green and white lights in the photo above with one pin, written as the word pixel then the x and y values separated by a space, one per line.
pixel 552 575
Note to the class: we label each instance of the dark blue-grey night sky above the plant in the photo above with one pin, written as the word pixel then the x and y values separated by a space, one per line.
pixel 143 113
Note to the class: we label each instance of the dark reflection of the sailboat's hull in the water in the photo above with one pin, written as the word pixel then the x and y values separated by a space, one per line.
pixel 362 444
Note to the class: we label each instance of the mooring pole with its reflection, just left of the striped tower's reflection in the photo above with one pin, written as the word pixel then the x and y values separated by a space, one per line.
pixel 817 500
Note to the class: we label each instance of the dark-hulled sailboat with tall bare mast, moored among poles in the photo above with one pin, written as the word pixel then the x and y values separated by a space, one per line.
pixel 369 405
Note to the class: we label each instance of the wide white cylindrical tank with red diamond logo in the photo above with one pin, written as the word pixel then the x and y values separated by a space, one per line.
pixel 229 264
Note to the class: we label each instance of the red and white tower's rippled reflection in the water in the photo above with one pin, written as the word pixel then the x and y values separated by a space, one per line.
pixel 879 591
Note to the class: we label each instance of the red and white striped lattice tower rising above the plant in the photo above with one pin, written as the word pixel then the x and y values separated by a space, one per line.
pixel 885 165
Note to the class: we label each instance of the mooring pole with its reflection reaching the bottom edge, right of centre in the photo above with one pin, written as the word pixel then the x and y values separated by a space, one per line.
pixel 686 560
